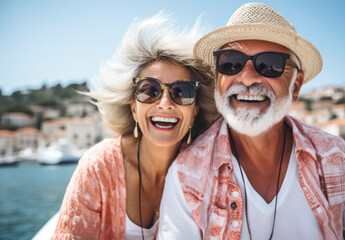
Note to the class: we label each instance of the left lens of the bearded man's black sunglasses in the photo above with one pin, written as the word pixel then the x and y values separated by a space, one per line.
pixel 231 62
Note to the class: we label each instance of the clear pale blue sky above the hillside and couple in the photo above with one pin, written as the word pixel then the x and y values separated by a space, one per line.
pixel 46 41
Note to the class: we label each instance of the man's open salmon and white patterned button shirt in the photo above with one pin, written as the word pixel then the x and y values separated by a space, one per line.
pixel 207 178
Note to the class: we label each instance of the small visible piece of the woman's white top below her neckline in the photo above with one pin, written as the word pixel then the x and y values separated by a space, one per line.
pixel 133 231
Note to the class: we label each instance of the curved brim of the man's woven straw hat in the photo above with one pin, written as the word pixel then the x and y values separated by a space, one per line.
pixel 309 56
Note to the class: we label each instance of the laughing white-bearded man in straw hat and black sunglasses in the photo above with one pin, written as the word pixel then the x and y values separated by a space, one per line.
pixel 257 173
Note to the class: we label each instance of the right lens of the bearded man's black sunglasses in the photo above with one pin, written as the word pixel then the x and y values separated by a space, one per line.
pixel 270 64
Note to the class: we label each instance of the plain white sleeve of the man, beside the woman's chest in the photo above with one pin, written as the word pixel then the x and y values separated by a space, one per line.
pixel 175 221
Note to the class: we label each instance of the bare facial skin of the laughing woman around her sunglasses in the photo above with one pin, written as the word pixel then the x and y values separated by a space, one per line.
pixel 165 107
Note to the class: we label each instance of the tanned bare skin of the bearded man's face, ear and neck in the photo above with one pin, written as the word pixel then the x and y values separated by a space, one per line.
pixel 259 155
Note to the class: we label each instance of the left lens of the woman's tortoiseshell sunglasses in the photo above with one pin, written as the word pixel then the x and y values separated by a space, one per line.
pixel 148 91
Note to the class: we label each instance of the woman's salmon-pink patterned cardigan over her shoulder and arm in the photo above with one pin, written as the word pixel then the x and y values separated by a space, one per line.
pixel 94 206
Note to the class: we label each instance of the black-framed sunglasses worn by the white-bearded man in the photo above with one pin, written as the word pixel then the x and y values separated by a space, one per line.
pixel 267 64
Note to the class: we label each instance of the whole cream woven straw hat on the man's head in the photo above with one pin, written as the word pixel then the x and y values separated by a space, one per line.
pixel 261 22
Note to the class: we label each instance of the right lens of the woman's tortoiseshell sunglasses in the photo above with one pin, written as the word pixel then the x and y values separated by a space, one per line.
pixel 183 93
